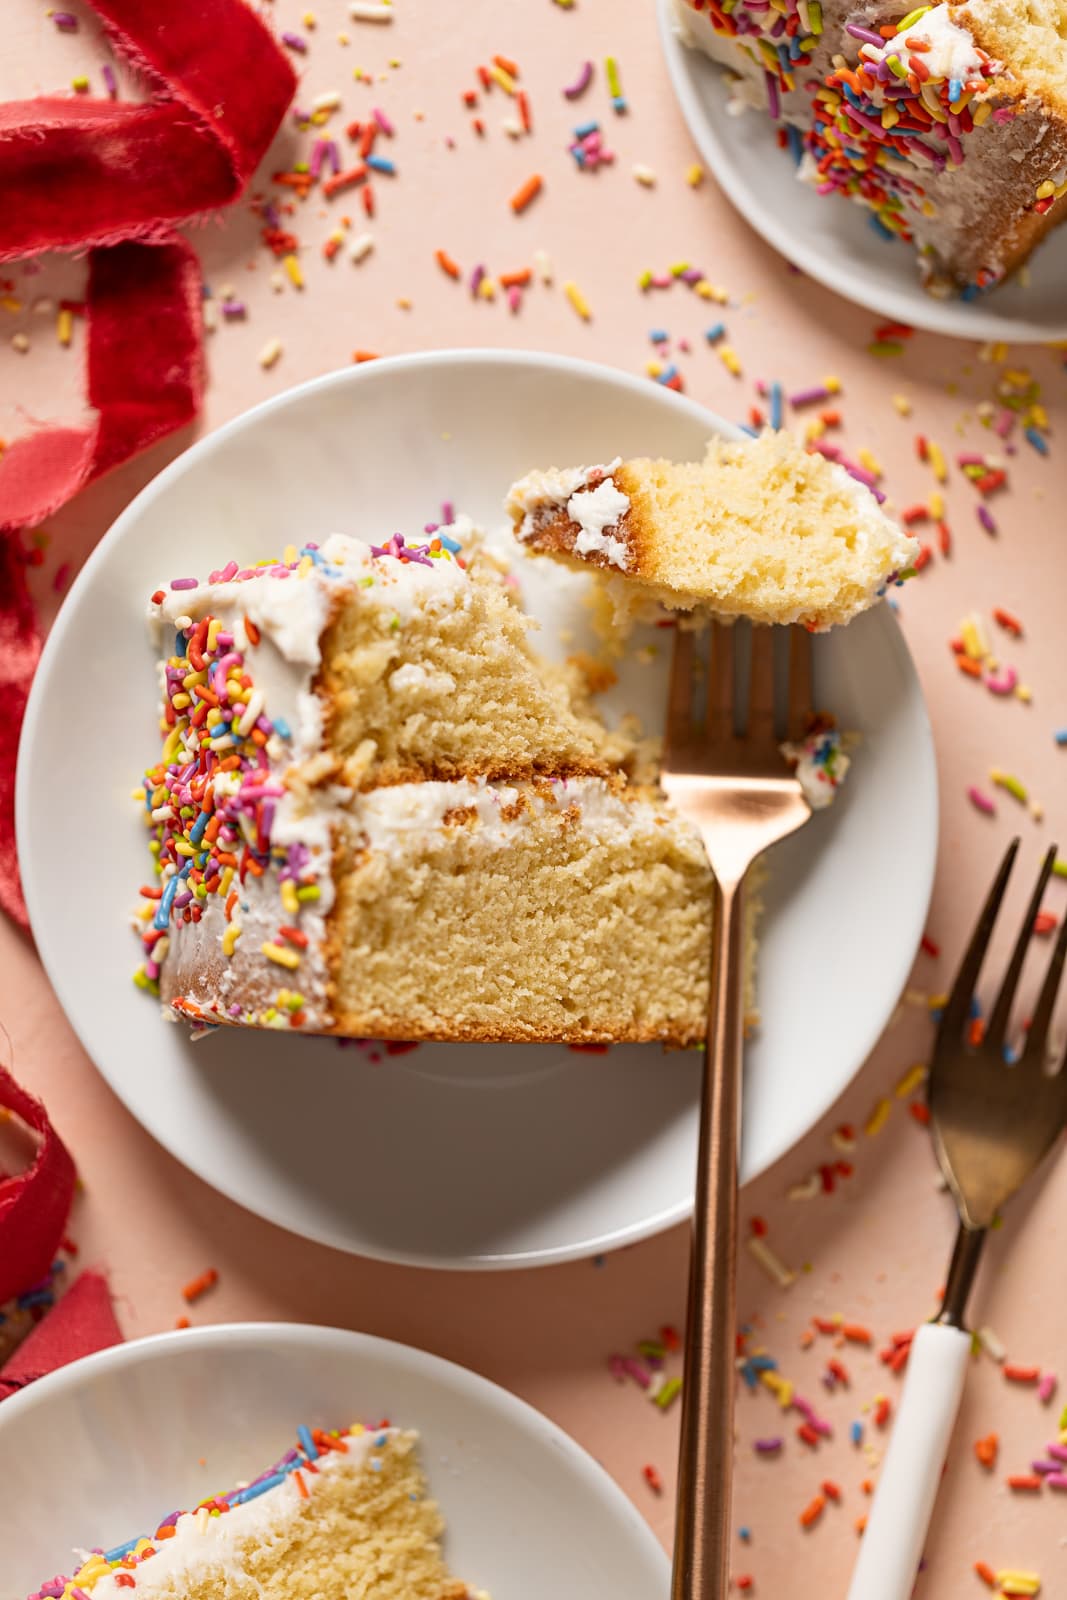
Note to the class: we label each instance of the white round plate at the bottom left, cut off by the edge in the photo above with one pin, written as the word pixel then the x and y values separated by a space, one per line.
pixel 164 1423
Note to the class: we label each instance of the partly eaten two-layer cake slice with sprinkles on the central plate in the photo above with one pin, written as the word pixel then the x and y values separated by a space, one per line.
pixel 378 814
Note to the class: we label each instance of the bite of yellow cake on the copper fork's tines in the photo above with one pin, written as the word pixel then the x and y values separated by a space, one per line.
pixel 762 530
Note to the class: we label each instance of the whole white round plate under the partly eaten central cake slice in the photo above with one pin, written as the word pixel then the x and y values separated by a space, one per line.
pixel 452 1156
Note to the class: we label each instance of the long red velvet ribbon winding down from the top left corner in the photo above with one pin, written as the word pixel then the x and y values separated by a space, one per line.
pixel 116 178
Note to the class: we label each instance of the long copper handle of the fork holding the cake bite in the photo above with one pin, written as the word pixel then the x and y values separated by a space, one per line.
pixel 701 1558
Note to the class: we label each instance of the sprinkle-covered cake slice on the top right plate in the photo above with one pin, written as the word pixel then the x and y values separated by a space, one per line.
pixel 948 121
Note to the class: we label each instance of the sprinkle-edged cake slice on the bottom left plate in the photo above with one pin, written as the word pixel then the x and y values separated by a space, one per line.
pixel 340 1516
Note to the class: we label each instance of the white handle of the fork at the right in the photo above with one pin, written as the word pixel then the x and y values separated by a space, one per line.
pixel 897 1530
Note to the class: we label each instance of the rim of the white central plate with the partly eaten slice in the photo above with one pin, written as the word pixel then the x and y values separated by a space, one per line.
pixel 487 1262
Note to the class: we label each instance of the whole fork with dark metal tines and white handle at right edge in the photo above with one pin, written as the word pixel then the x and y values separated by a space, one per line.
pixel 993 1122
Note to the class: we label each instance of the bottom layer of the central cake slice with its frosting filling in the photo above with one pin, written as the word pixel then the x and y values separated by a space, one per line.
pixel 572 911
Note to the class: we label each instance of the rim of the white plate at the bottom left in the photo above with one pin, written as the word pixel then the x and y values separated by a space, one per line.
pixel 452 1375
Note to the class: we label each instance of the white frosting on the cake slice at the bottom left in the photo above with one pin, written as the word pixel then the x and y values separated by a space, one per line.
pixel 214 1546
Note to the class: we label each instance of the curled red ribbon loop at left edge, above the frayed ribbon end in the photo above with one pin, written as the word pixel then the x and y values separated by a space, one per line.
pixel 36 1204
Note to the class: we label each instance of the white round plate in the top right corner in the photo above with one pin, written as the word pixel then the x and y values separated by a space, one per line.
pixel 831 239
